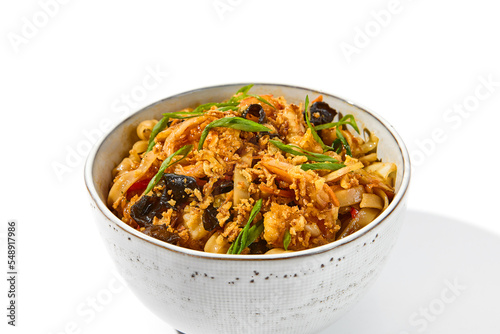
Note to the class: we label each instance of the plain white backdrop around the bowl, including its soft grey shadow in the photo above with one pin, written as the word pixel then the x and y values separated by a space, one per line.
pixel 66 76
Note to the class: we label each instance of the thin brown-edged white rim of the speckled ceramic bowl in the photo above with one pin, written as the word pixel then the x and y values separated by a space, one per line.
pixel 103 208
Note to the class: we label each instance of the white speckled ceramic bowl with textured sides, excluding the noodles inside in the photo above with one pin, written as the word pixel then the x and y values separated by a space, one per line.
pixel 197 292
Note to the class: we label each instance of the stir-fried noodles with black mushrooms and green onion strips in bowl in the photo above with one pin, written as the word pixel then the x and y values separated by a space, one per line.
pixel 252 175
